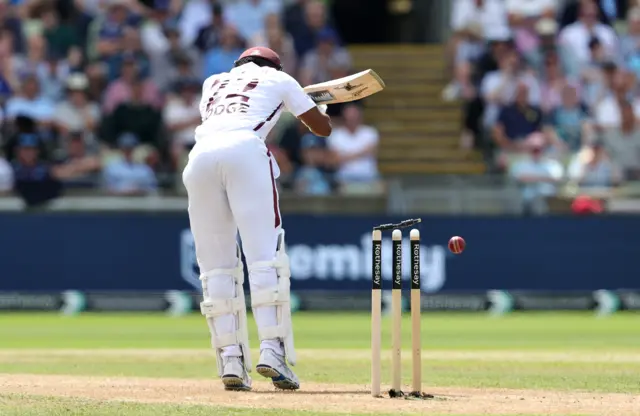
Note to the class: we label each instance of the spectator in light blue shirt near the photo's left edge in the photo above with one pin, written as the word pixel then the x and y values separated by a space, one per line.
pixel 29 102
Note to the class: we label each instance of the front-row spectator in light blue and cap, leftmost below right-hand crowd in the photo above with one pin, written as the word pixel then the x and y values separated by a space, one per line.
pixel 537 176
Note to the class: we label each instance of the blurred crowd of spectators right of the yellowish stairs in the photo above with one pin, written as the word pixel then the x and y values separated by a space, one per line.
pixel 550 90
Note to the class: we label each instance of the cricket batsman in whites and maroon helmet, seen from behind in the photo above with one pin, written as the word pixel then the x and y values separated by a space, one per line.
pixel 230 181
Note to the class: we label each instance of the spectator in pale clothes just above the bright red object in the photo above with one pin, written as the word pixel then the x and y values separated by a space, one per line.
pixel 594 169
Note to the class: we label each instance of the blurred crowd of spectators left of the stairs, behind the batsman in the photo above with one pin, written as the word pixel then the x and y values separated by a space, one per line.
pixel 103 94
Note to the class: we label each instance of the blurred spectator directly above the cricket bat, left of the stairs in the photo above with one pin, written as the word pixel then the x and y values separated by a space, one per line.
pixel 327 61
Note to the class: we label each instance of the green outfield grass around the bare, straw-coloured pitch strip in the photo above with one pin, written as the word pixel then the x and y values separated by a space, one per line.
pixel 544 351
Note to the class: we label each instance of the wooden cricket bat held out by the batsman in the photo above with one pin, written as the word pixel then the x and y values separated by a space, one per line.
pixel 350 88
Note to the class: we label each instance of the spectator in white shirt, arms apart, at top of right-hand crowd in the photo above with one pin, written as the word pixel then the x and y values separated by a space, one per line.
pixel 576 36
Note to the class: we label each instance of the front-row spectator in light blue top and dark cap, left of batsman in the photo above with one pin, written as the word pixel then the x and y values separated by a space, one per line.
pixel 126 176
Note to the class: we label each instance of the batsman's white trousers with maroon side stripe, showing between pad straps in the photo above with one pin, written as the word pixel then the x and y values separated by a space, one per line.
pixel 231 187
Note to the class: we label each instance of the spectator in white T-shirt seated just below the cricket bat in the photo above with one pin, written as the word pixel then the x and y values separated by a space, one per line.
pixel 354 147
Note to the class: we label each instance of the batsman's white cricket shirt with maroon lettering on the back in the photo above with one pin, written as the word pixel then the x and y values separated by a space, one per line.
pixel 249 98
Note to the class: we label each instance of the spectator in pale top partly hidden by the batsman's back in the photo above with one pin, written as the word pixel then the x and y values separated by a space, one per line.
pixel 181 116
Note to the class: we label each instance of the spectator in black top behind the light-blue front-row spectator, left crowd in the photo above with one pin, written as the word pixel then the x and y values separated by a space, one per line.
pixel 137 117
